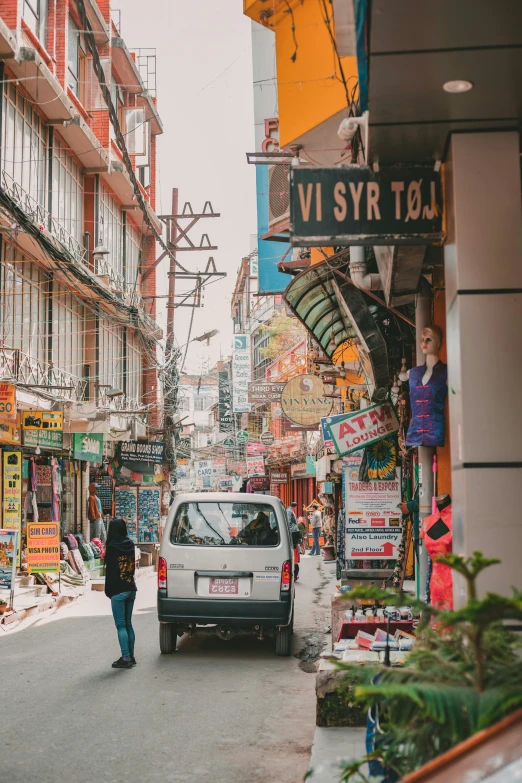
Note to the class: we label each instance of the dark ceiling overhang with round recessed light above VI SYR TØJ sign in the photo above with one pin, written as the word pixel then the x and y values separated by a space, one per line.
pixel 413 49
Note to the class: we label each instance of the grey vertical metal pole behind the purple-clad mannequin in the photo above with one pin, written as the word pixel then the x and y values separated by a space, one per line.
pixel 423 319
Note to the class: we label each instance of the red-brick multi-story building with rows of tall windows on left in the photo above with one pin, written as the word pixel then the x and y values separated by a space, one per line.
pixel 77 231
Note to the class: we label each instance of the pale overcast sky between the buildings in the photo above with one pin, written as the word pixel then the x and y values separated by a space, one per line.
pixel 205 101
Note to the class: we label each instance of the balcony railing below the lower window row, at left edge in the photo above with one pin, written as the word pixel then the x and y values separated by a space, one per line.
pixel 18 367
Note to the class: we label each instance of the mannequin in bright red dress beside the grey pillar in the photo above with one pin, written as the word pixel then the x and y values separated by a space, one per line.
pixel 437 532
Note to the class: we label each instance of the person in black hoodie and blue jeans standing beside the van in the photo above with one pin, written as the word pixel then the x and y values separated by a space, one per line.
pixel 120 587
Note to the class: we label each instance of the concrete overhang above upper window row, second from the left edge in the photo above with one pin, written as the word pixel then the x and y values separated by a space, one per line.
pixel 42 86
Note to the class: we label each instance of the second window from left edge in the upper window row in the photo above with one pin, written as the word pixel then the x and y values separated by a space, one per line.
pixel 67 195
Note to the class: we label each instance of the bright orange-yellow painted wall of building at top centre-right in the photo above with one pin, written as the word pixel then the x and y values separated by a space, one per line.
pixel 310 89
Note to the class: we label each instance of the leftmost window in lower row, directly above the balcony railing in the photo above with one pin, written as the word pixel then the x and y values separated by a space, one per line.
pixel 23 305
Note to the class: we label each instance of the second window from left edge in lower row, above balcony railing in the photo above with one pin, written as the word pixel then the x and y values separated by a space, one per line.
pixel 68 332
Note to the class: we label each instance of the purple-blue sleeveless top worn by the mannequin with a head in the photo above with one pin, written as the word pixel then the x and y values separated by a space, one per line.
pixel 427 406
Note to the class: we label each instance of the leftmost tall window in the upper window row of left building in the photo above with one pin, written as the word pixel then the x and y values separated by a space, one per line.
pixel 24 146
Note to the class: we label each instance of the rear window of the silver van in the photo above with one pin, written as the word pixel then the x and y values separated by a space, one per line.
pixel 225 524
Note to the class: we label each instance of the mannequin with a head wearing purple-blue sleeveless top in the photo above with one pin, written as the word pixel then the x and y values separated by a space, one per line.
pixel 428 392
